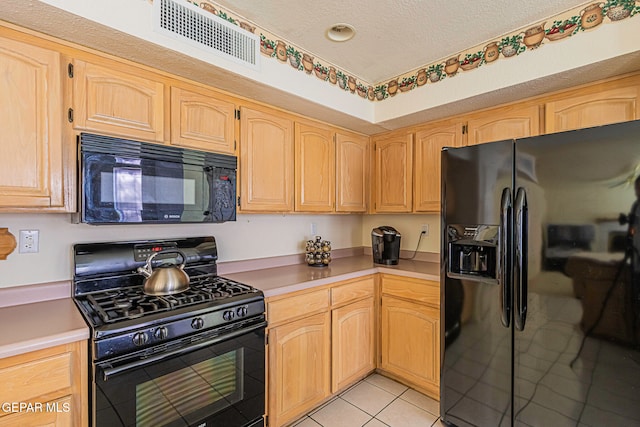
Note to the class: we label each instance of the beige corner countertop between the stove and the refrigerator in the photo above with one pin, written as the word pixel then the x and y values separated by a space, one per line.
pixel 285 279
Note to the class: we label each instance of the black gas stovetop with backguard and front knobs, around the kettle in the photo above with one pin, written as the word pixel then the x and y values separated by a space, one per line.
pixel 123 319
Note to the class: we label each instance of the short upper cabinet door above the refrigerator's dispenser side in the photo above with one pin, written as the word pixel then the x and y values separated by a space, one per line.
pixel 503 123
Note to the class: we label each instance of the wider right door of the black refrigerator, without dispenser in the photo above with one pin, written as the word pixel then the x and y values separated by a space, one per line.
pixel 576 335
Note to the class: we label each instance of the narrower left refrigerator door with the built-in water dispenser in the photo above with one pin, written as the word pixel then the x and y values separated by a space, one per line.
pixel 476 341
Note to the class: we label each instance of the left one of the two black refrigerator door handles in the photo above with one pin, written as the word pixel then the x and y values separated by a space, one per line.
pixel 504 269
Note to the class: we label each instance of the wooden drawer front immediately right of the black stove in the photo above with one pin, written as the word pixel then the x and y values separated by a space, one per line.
pixel 298 305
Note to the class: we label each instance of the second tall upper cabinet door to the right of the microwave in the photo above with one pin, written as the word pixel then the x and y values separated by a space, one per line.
pixel 315 168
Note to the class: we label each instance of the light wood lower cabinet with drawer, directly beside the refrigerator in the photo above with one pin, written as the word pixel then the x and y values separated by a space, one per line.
pixel 410 328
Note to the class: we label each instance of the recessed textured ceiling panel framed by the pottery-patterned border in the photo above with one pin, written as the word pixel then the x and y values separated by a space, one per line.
pixel 393 37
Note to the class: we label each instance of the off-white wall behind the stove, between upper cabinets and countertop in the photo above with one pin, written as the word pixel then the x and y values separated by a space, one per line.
pixel 251 236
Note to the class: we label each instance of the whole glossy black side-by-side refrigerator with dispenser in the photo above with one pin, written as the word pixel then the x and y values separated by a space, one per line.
pixel 540 269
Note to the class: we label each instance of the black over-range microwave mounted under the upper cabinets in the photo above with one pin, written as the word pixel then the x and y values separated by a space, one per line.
pixel 124 181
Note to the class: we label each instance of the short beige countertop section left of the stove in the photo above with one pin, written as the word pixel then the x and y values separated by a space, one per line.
pixel 30 327
